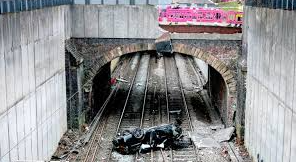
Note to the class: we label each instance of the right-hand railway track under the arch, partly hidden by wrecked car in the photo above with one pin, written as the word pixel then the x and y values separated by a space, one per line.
pixel 178 110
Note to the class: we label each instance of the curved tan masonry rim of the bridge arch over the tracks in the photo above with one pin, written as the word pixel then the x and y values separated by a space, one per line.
pixel 210 59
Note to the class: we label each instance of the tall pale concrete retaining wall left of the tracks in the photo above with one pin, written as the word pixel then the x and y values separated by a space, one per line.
pixel 32 82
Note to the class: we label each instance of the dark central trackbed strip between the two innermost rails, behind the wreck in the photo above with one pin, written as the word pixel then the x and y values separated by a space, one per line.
pixel 155 108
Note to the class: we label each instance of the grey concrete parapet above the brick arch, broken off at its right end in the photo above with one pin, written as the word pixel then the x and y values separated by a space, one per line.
pixel 114 21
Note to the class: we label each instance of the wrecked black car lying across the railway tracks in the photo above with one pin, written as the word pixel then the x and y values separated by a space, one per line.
pixel 130 142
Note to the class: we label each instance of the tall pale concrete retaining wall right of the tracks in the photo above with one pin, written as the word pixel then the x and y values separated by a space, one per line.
pixel 270 117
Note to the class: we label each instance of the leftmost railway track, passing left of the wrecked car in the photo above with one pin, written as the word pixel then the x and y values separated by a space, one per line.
pixel 98 140
